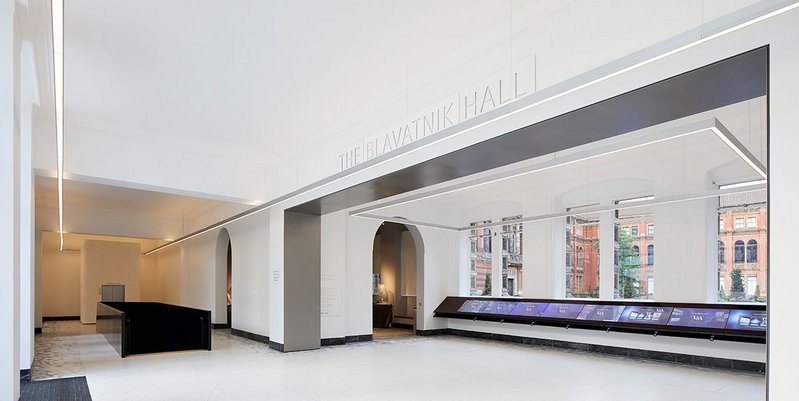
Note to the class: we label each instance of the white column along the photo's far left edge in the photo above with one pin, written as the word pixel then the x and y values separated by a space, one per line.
pixel 9 208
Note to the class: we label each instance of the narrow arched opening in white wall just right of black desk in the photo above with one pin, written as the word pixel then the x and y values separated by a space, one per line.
pixel 223 298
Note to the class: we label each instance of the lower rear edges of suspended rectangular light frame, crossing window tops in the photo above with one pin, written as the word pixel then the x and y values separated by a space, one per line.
pixel 742 188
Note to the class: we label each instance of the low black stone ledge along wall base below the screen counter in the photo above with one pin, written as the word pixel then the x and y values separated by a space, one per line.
pixel 660 356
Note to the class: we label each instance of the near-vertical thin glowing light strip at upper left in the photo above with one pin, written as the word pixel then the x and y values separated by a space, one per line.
pixel 57 7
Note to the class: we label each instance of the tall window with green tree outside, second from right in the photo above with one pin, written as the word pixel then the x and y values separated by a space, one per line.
pixel 634 279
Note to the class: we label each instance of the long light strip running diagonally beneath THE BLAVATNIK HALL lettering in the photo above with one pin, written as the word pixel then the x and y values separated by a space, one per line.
pixel 319 185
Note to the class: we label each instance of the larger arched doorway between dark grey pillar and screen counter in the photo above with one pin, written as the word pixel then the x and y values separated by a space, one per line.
pixel 397 268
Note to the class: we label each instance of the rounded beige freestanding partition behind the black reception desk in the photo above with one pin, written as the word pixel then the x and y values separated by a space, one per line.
pixel 107 262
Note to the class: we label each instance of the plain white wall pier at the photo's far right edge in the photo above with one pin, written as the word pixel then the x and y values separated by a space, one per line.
pixel 783 219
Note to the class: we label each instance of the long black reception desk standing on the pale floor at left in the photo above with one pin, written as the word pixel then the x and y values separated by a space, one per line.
pixel 147 327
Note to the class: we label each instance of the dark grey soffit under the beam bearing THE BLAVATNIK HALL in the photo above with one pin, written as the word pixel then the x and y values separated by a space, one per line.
pixel 723 83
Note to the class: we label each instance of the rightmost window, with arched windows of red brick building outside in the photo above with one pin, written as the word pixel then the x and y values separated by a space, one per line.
pixel 742 278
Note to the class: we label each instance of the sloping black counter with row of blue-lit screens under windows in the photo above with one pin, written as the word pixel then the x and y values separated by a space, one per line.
pixel 732 322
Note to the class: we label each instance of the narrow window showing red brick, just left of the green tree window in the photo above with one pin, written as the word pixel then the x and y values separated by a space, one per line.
pixel 582 257
